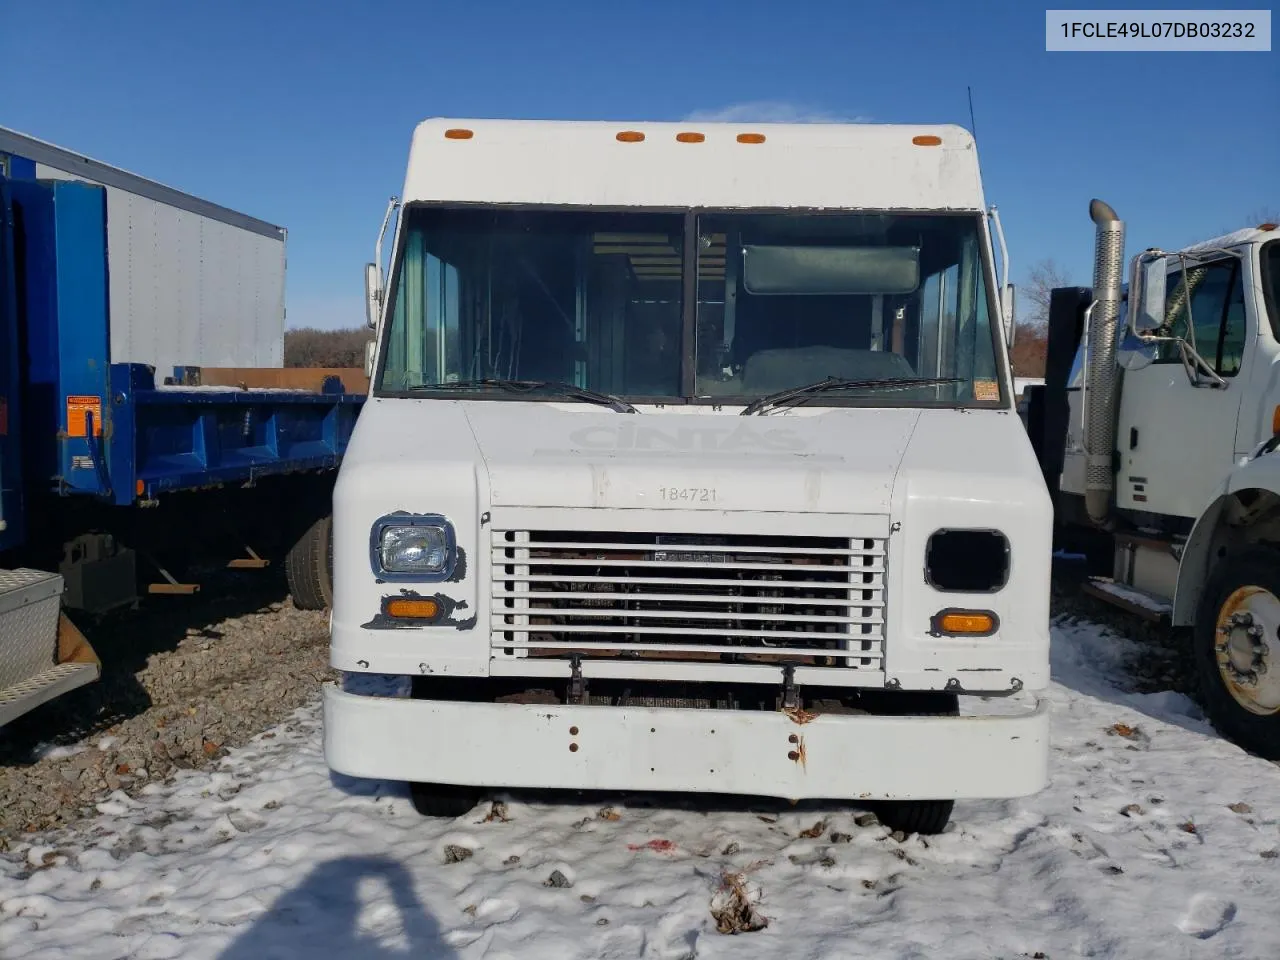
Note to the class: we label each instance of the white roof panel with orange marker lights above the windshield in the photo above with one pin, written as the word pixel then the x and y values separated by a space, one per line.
pixel 798 166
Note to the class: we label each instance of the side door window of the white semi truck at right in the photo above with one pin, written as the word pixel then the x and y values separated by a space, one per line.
pixel 1215 292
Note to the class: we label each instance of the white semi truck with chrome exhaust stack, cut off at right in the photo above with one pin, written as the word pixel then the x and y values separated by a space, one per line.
pixel 1158 427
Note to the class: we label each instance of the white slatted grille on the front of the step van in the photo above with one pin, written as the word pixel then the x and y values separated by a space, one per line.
pixel 723 598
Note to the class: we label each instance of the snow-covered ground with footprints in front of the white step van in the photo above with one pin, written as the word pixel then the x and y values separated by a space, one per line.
pixel 1156 839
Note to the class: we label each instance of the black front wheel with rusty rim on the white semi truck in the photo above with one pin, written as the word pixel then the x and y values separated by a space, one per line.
pixel 1236 650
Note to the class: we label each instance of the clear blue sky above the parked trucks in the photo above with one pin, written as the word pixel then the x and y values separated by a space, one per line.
pixel 300 113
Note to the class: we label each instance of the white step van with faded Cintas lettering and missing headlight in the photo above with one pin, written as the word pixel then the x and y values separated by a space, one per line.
pixel 692 464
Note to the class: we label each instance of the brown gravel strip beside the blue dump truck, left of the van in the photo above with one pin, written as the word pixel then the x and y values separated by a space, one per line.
pixel 217 687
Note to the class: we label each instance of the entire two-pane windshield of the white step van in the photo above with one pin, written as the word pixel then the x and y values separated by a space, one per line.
pixel 597 300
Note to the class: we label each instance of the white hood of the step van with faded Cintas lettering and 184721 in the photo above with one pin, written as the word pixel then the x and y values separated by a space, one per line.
pixel 542 455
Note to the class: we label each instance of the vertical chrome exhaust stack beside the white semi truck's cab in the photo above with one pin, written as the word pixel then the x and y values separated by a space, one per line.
pixel 1101 395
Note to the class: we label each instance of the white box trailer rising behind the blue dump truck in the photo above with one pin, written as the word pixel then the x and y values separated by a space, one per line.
pixel 193 284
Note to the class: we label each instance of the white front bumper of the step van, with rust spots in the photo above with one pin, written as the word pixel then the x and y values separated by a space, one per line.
pixel 662 749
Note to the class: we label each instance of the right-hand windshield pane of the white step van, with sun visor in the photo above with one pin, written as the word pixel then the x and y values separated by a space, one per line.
pixel 789 300
